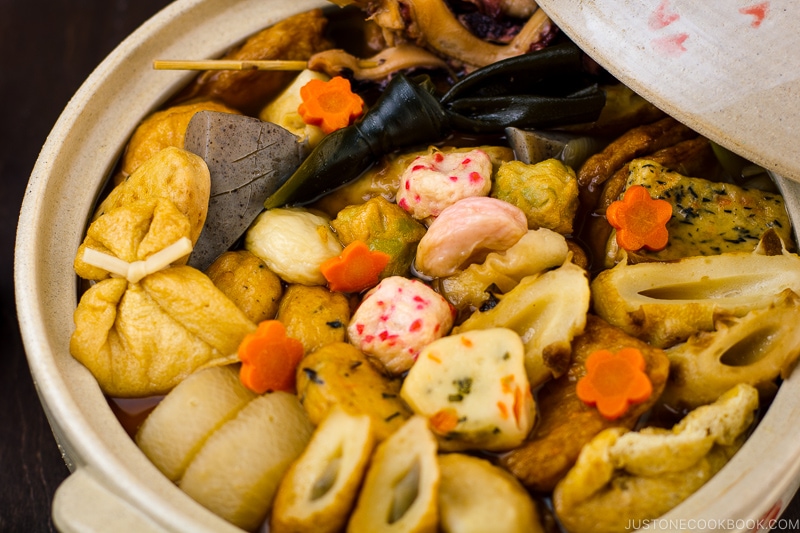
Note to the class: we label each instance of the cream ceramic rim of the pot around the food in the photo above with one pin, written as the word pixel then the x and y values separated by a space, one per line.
pixel 79 154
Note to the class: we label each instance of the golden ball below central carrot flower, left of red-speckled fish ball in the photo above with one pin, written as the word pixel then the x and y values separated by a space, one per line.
pixel 314 315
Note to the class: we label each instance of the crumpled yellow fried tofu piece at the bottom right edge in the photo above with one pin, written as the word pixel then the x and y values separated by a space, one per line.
pixel 622 476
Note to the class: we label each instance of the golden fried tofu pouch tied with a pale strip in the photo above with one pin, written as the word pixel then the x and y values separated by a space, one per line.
pixel 142 338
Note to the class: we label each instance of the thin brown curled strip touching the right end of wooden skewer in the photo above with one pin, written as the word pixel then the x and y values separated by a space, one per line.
pixel 392 59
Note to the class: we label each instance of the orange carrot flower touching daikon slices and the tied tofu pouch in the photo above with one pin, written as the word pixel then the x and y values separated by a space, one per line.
pixel 269 359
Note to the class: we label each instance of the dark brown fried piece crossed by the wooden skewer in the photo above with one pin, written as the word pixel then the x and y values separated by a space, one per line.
pixel 294 38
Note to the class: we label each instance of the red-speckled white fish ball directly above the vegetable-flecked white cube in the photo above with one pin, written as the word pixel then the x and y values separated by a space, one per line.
pixel 397 319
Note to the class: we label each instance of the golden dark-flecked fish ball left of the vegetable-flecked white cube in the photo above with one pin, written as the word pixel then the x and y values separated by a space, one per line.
pixel 340 374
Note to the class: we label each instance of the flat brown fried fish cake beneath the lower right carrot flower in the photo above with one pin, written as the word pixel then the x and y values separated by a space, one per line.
pixel 566 423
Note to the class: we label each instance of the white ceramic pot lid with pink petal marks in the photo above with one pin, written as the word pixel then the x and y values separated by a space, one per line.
pixel 730 70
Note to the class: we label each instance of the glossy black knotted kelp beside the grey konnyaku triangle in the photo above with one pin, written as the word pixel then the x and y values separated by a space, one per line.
pixel 538 89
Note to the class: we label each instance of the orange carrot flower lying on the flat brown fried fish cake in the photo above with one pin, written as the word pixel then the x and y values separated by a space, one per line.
pixel 614 381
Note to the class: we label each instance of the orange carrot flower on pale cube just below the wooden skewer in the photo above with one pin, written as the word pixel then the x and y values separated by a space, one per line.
pixel 330 105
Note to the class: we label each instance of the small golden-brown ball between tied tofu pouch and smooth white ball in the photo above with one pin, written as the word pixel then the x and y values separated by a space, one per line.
pixel 248 282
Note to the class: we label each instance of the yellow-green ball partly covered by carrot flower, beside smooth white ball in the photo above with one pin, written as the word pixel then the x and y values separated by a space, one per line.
pixel 385 227
